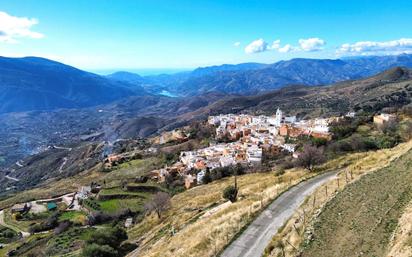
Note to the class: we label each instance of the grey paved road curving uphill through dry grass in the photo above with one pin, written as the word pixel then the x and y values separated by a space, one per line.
pixel 253 241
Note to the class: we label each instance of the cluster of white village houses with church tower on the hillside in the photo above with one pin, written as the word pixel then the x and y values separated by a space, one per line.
pixel 250 137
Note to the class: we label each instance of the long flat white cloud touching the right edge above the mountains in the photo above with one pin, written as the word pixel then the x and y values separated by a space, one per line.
pixel 403 45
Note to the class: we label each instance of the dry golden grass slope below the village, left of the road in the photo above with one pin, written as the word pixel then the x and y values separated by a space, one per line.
pixel 185 230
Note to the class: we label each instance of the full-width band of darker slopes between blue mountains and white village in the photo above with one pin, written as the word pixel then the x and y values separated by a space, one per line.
pixel 146 115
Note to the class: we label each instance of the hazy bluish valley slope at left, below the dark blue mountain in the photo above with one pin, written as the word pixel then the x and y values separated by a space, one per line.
pixel 138 116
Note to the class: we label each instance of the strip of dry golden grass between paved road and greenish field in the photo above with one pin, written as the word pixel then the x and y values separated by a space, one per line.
pixel 290 237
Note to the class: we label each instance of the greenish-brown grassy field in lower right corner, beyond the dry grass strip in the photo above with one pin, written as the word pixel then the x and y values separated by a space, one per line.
pixel 361 219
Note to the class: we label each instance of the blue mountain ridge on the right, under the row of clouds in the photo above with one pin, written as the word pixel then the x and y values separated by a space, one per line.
pixel 259 78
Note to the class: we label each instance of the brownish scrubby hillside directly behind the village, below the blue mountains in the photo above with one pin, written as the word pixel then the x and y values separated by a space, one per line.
pixel 392 88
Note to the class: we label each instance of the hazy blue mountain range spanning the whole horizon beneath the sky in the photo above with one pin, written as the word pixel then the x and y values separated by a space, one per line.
pixel 33 83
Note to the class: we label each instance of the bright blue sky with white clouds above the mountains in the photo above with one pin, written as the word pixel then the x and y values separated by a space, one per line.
pixel 132 34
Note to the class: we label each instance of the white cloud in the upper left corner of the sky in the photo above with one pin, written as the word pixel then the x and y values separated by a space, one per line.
pixel 12 27
